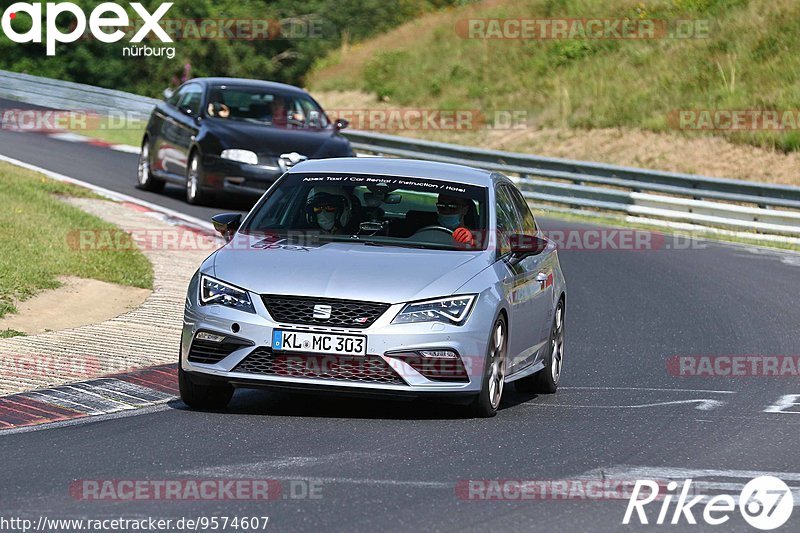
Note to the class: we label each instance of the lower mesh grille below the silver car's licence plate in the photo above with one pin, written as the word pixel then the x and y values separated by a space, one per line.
pixel 360 369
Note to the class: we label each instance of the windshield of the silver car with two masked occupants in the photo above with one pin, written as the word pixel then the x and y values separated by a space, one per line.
pixel 385 210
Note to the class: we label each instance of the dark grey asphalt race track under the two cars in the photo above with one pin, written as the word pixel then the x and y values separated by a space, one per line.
pixel 384 465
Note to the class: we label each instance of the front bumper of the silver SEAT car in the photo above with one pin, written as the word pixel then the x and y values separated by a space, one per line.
pixel 384 340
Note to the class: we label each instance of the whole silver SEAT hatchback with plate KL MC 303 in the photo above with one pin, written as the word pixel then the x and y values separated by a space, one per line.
pixel 375 276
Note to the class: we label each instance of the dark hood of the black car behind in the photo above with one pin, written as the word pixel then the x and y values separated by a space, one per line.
pixel 312 143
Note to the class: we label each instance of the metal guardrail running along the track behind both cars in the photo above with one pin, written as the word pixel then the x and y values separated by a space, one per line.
pixel 563 184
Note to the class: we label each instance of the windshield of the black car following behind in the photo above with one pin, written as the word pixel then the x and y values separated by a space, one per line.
pixel 263 106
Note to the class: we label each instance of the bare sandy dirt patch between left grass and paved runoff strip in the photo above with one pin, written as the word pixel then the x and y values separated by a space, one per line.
pixel 77 302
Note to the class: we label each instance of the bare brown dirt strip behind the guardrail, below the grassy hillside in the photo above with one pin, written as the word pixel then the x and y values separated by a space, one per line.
pixel 709 156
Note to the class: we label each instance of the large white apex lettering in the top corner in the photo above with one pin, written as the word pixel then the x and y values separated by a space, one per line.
pixel 102 19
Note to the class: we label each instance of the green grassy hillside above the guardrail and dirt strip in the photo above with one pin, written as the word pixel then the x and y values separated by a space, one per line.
pixel 747 62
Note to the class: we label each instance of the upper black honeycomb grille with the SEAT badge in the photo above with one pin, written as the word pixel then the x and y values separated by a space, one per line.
pixel 343 313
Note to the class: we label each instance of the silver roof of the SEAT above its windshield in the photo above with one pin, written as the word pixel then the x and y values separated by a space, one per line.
pixel 386 166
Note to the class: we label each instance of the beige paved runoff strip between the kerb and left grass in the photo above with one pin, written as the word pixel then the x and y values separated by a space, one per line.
pixel 148 335
